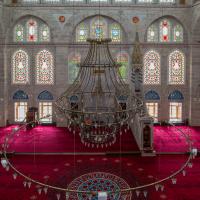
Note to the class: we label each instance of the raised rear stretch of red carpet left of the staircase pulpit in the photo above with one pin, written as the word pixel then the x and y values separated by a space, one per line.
pixel 53 139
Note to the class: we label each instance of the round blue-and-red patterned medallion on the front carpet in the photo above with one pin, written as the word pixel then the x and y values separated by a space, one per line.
pixel 98 181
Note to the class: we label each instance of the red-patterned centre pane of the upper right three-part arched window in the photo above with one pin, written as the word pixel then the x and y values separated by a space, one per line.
pixel 165 27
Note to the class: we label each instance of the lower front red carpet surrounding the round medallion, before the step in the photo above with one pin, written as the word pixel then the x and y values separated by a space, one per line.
pixel 135 170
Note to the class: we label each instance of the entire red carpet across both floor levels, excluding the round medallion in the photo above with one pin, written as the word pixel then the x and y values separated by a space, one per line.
pixel 135 170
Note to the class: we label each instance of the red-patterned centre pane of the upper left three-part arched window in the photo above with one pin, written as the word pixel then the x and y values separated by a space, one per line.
pixel 32 31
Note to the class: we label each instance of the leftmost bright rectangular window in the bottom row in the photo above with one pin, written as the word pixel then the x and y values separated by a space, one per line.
pixel 20 111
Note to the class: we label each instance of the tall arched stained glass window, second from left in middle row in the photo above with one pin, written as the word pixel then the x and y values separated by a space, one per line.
pixel 44 67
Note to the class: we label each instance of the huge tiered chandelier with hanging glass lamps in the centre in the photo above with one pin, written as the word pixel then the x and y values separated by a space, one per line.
pixel 99 103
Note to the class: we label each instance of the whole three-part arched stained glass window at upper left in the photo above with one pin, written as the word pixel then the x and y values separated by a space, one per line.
pixel 31 30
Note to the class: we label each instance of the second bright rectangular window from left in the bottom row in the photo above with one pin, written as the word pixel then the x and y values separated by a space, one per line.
pixel 45 108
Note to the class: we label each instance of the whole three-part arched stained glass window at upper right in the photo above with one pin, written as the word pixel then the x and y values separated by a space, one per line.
pixel 165 30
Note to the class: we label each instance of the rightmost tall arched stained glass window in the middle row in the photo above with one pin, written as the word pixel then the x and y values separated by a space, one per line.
pixel 176 67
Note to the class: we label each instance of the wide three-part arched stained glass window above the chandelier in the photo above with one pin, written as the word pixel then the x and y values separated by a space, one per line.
pixel 98 28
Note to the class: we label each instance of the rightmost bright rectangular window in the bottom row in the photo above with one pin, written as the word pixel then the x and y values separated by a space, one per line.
pixel 175 112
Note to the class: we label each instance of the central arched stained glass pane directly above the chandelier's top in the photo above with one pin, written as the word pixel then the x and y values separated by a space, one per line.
pixel 99 28
